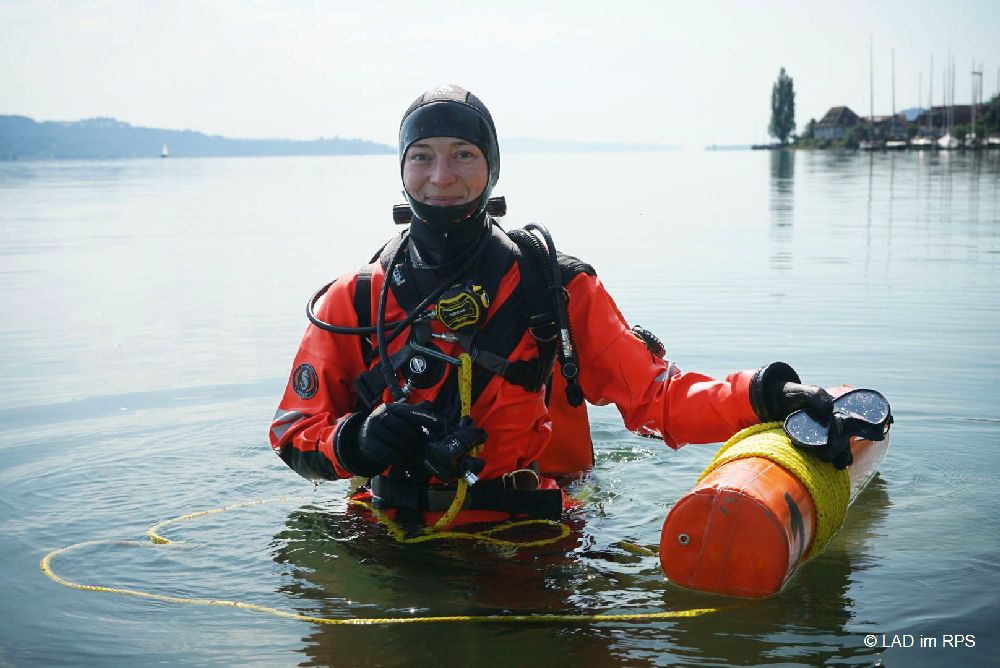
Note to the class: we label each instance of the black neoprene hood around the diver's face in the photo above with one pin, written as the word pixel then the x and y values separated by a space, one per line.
pixel 451 111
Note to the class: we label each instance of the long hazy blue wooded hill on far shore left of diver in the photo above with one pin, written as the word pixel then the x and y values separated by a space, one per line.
pixel 21 138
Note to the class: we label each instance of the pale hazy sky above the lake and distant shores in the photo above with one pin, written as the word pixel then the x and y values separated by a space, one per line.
pixel 688 73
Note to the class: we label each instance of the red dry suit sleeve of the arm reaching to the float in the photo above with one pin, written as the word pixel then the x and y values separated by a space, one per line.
pixel 651 394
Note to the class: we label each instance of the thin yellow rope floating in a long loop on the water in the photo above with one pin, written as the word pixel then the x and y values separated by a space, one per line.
pixel 156 539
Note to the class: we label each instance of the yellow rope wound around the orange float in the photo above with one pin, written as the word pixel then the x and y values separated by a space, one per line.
pixel 829 488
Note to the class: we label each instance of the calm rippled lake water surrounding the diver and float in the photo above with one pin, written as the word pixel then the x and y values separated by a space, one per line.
pixel 151 310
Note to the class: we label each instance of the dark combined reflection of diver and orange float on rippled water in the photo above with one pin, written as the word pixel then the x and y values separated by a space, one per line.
pixel 343 565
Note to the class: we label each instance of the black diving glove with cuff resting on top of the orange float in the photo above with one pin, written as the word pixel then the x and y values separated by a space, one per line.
pixel 776 391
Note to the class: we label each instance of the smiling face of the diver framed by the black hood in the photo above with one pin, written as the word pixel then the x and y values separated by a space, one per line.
pixel 444 171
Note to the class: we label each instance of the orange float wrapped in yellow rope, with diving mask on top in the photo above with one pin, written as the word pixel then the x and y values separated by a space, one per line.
pixel 764 506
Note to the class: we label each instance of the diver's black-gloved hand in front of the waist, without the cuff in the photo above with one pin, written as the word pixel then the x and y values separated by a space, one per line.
pixel 393 434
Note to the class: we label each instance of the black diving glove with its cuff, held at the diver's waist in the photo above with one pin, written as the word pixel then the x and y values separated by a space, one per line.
pixel 392 435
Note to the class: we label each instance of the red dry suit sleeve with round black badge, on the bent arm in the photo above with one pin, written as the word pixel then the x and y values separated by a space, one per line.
pixel 318 397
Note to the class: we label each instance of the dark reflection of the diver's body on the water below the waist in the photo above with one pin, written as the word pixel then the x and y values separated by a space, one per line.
pixel 347 567
